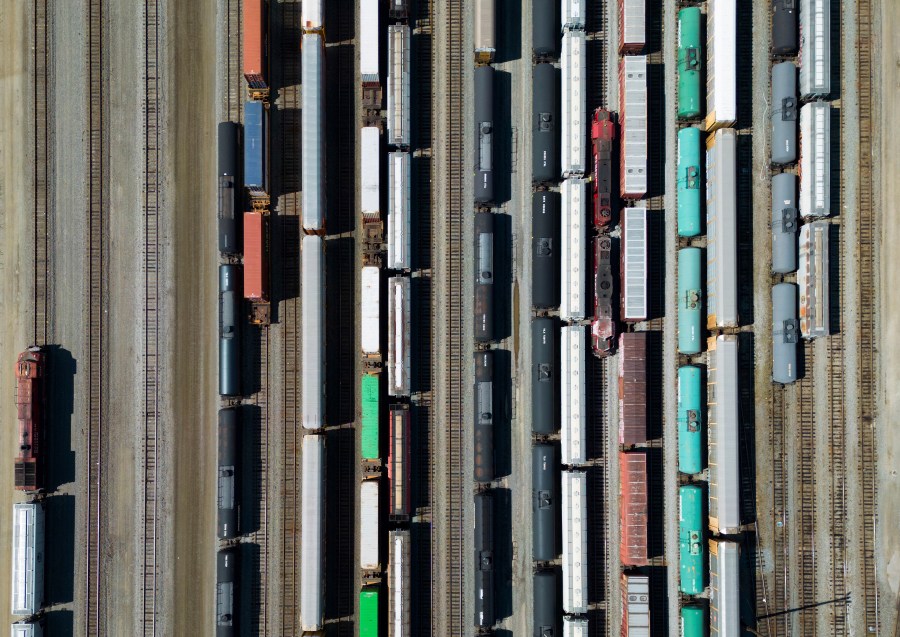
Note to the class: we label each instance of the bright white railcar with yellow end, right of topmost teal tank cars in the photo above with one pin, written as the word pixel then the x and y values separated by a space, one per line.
pixel 721 66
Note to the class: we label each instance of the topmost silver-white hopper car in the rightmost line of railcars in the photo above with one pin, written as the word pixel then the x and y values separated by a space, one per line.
pixel 815 48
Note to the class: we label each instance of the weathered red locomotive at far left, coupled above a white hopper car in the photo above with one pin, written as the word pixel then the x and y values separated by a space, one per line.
pixel 30 376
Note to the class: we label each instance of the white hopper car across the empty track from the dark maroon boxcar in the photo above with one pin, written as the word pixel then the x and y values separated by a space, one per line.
pixel 573 397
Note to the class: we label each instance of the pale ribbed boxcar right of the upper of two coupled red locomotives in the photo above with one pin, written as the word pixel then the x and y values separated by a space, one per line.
pixel 633 124
